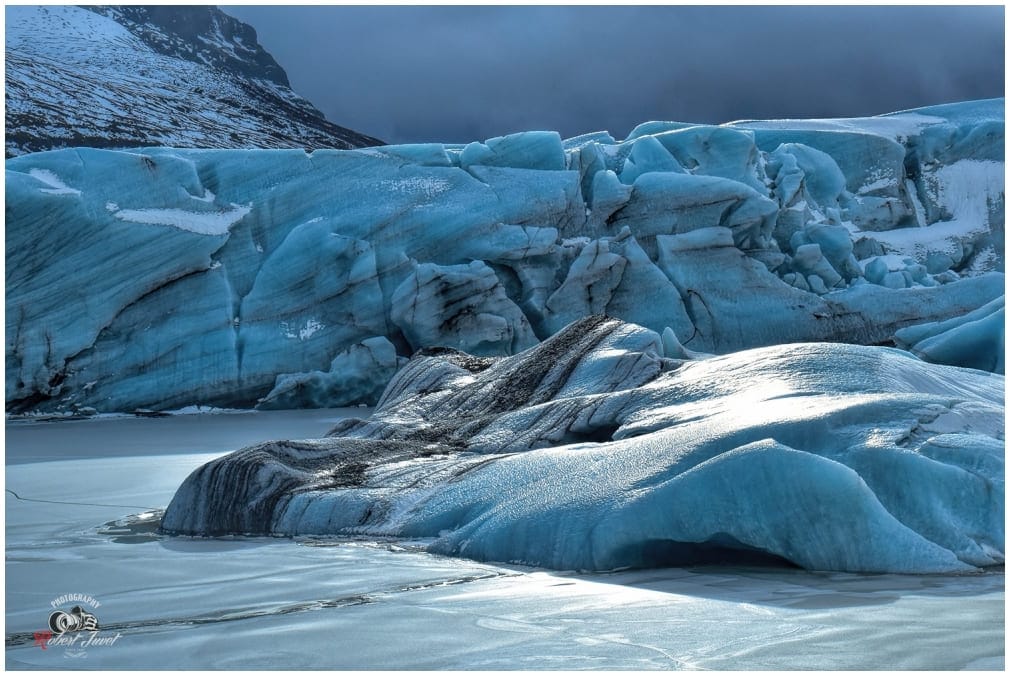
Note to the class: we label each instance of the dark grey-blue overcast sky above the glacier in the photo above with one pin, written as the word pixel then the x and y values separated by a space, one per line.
pixel 460 74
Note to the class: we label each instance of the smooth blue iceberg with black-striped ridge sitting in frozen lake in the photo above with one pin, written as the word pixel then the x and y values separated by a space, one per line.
pixel 598 449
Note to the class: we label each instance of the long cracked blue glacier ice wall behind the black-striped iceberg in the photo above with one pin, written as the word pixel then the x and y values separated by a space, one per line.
pixel 162 278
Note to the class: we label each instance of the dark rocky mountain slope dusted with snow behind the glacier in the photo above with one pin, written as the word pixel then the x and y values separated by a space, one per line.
pixel 127 77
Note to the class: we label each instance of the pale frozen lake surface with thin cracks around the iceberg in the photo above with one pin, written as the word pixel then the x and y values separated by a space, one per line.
pixel 90 493
